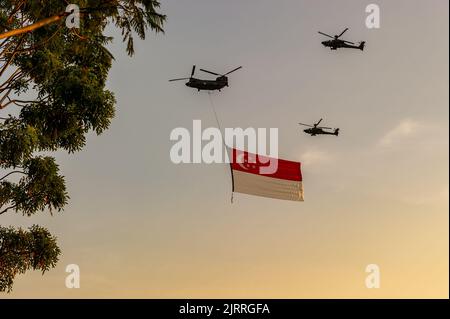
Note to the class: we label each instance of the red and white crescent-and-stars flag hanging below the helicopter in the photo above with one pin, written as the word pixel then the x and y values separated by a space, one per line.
pixel 252 175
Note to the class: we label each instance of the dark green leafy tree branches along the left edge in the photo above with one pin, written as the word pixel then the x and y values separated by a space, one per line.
pixel 52 93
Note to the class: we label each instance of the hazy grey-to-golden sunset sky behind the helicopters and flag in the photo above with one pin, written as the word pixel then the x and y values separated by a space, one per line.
pixel 140 226
